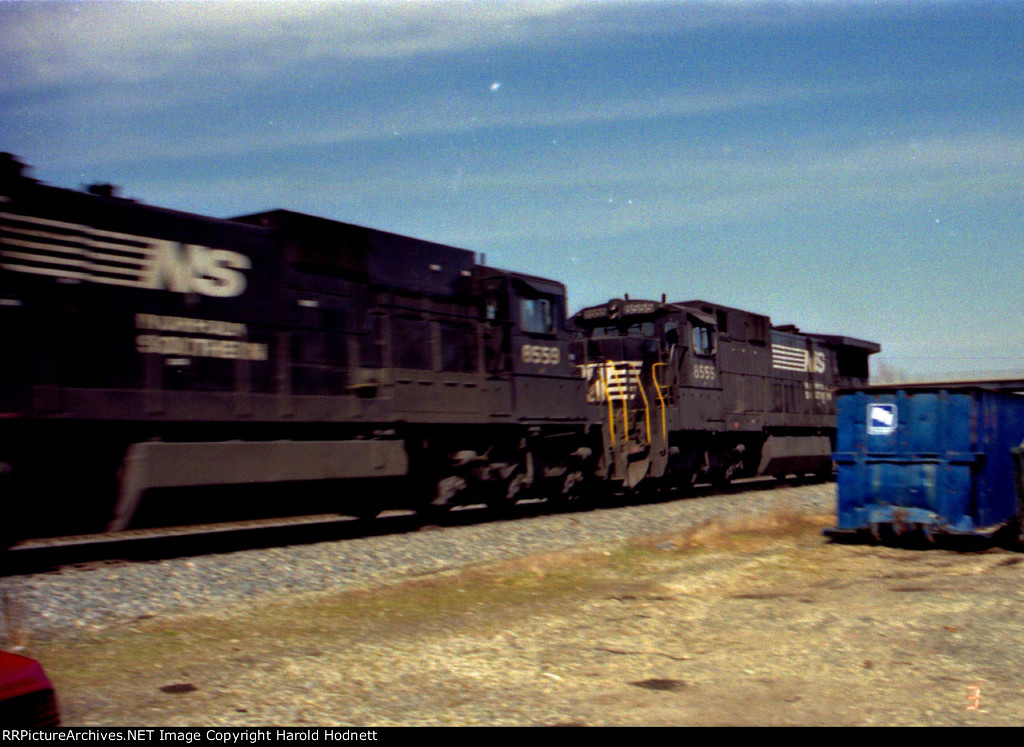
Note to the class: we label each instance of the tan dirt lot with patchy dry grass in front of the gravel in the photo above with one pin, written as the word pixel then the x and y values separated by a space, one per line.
pixel 758 624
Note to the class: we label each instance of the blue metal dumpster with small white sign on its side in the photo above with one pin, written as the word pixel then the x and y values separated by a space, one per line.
pixel 940 460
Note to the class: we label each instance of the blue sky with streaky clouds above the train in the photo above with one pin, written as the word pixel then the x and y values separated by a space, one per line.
pixel 854 169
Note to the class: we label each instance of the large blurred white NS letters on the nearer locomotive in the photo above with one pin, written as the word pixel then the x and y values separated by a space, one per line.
pixel 194 269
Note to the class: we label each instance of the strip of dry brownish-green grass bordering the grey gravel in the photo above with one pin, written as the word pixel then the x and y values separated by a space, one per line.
pixel 451 601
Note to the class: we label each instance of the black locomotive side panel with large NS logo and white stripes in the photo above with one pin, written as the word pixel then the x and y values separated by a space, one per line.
pixel 118 302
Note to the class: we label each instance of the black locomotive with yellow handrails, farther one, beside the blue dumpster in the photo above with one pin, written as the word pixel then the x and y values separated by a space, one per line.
pixel 700 392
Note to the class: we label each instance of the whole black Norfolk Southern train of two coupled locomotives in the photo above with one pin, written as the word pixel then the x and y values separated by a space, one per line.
pixel 153 354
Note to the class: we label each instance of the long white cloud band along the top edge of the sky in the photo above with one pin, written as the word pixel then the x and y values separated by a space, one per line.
pixel 56 44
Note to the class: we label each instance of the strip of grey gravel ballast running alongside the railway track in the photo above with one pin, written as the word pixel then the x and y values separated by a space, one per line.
pixel 99 596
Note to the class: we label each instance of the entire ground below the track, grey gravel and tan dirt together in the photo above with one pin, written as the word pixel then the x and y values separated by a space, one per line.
pixel 728 610
